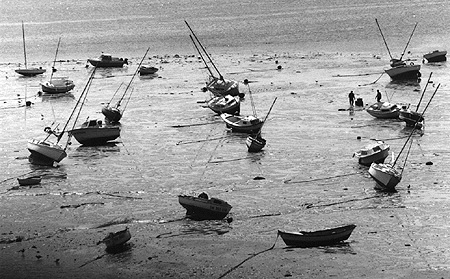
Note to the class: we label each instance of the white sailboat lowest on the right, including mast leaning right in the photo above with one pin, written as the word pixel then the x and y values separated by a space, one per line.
pixel 387 176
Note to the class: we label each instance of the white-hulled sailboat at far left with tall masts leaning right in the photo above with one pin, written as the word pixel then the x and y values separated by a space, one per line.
pixel 45 151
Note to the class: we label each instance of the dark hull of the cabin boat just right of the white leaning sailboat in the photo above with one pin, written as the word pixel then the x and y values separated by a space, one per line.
pixel 92 136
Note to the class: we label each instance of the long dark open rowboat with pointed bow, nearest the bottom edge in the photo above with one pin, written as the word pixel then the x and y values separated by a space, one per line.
pixel 317 238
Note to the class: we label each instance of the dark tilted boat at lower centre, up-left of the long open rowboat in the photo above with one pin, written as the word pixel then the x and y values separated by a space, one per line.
pixel 203 207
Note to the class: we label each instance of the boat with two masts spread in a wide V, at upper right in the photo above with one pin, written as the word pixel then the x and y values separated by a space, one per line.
pixel 400 70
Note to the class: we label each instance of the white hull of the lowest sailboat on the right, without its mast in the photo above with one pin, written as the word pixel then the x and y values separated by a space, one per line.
pixel 385 176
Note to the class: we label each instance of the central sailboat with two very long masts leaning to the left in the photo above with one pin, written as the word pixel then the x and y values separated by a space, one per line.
pixel 218 86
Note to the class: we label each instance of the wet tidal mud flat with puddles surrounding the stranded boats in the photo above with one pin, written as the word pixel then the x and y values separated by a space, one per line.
pixel 170 144
